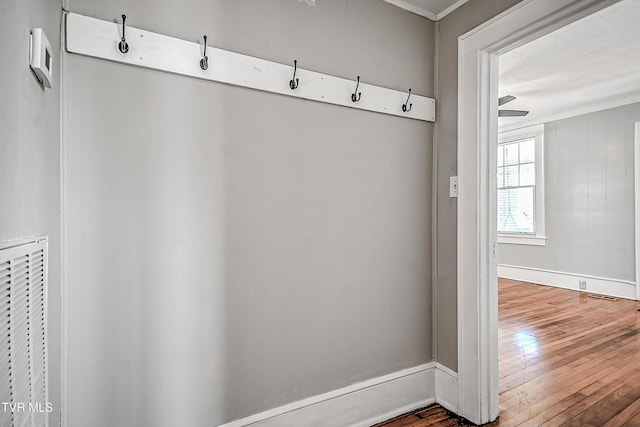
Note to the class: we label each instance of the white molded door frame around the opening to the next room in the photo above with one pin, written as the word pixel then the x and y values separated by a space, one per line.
pixel 478 53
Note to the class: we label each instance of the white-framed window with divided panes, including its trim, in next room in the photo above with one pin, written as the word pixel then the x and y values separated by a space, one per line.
pixel 521 187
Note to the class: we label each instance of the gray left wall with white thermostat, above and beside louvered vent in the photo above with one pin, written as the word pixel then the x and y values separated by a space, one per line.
pixel 30 152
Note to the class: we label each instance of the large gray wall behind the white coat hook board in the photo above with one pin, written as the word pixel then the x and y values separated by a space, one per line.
pixel 231 250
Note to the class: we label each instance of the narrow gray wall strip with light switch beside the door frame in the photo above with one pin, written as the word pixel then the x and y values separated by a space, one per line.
pixel 467 17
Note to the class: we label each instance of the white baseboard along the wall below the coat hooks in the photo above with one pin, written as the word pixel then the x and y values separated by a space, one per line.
pixel 358 405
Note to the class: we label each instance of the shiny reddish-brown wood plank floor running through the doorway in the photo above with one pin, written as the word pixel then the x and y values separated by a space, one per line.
pixel 566 358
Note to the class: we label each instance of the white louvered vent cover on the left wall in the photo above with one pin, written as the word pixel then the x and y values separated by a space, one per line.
pixel 23 336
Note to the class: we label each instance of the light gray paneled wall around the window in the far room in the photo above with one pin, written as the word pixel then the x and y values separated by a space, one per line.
pixel 589 193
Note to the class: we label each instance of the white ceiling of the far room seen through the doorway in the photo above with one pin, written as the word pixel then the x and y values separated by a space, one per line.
pixel 590 65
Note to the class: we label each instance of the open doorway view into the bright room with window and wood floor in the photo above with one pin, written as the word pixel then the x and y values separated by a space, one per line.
pixel 567 118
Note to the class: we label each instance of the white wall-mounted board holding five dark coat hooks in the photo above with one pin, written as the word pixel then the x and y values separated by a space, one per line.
pixel 128 45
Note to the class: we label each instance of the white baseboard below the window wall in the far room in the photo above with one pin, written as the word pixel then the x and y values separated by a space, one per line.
pixel 595 285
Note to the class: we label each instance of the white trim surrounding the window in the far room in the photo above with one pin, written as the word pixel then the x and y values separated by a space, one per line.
pixel 539 239
